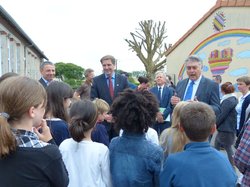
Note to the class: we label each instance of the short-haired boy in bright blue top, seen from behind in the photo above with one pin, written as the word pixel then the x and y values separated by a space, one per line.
pixel 199 164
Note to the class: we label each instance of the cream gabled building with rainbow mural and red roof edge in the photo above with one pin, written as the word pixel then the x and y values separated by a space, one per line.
pixel 221 38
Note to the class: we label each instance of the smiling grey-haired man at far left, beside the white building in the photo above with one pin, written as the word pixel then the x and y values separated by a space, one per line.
pixel 47 70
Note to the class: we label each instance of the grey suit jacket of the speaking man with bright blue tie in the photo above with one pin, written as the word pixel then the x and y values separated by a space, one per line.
pixel 207 92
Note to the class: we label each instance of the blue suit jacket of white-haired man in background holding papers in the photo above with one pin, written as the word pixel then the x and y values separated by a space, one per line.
pixel 167 93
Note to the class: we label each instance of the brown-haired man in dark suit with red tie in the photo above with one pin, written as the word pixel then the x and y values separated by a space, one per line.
pixel 108 85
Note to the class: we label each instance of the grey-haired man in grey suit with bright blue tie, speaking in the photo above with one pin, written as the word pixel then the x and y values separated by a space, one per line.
pixel 197 87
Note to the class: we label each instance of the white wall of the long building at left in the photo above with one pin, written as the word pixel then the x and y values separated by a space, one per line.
pixel 16 56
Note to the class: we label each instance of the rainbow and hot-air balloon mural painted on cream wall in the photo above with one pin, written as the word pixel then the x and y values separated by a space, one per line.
pixel 219 60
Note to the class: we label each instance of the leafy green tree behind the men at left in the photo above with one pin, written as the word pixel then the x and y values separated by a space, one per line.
pixel 69 73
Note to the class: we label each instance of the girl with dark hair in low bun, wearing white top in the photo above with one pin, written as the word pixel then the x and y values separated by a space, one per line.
pixel 87 162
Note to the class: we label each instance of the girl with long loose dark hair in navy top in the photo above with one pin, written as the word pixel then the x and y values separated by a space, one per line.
pixel 59 99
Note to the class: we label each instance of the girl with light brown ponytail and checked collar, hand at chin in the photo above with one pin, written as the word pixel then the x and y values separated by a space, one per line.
pixel 27 157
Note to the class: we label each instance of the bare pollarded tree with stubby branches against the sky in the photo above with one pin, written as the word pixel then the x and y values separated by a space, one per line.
pixel 148 43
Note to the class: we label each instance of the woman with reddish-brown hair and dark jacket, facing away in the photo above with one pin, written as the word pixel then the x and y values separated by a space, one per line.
pixel 227 120
